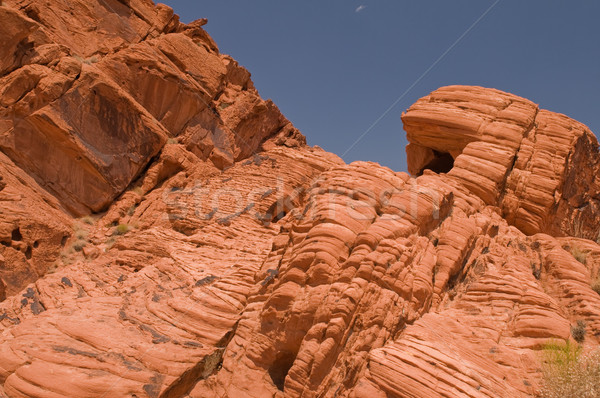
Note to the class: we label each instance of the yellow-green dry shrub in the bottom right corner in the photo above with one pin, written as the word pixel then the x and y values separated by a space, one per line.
pixel 568 373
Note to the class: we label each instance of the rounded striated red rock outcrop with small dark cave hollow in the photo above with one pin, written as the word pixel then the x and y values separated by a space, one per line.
pixel 526 161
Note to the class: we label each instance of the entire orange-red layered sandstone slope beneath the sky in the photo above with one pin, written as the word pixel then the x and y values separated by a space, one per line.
pixel 167 233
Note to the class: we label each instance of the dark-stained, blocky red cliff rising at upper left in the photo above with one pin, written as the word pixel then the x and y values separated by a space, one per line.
pixel 84 110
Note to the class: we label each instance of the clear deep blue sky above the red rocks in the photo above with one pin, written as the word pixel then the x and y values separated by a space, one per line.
pixel 335 66
